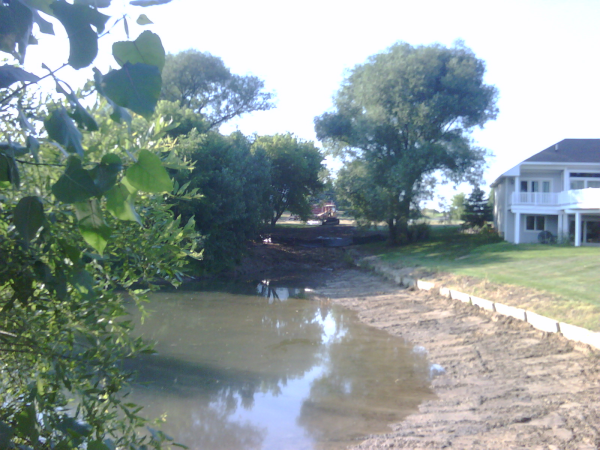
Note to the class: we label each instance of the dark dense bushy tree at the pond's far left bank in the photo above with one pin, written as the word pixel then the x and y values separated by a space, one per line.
pixel 233 184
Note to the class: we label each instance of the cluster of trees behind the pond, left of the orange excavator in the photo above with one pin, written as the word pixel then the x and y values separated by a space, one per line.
pixel 243 183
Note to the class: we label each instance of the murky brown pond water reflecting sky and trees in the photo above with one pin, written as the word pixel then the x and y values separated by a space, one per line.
pixel 272 371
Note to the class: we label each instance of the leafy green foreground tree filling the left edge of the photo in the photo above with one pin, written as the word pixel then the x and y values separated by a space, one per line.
pixel 82 217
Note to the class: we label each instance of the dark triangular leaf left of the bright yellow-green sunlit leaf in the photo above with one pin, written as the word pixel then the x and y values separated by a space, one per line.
pixel 75 184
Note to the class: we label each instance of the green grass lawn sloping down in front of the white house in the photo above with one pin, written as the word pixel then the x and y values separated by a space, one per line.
pixel 570 273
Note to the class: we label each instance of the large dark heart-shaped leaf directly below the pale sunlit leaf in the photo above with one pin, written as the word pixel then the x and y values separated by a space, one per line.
pixel 134 86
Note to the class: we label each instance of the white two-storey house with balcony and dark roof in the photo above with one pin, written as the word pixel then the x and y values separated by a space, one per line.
pixel 556 191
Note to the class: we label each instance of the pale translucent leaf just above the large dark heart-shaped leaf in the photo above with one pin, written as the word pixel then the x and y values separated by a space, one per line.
pixel 146 49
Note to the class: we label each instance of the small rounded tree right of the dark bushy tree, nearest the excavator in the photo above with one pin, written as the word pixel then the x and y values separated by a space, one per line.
pixel 294 167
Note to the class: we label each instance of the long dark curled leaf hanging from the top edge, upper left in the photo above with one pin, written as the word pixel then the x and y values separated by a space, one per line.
pixel 83 40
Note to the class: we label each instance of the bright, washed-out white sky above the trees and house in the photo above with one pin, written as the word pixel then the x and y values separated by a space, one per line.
pixel 543 56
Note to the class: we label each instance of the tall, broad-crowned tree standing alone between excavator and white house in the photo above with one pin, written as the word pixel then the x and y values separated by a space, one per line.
pixel 408 113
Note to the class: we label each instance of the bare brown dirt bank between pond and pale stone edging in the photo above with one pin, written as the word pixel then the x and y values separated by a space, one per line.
pixel 505 386
